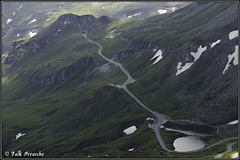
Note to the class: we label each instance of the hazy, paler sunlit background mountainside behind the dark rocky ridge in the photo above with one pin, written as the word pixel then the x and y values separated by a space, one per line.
pixel 25 19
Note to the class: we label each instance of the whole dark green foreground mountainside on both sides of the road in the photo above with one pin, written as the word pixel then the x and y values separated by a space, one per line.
pixel 56 87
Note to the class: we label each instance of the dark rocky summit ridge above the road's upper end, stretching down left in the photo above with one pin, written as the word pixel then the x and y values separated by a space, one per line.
pixel 70 22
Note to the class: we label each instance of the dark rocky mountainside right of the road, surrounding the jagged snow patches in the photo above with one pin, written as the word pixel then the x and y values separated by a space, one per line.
pixel 177 42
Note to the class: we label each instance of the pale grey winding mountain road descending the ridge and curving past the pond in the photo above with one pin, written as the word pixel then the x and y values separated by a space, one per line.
pixel 161 118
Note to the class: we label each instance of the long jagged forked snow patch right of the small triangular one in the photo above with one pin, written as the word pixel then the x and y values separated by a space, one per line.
pixel 196 56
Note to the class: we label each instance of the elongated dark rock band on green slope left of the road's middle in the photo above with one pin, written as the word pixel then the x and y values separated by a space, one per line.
pixel 81 67
